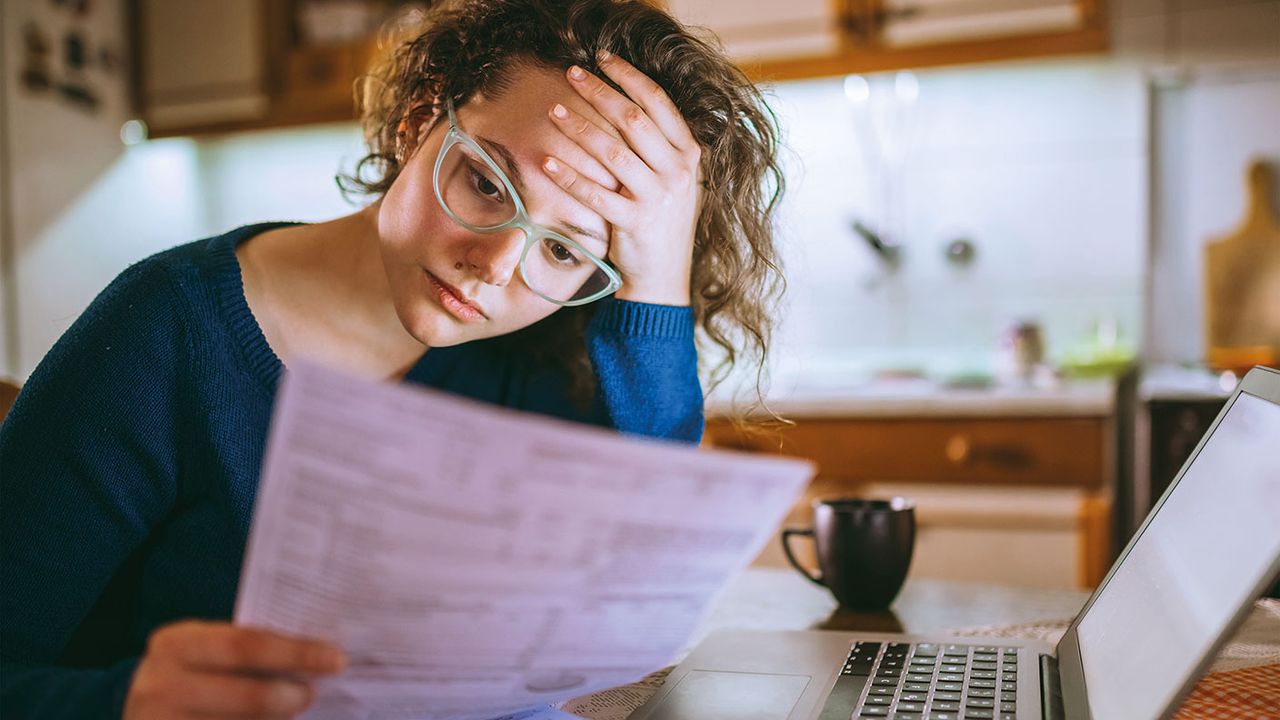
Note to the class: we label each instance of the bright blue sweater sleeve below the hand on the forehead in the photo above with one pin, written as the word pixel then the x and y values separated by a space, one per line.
pixel 647 370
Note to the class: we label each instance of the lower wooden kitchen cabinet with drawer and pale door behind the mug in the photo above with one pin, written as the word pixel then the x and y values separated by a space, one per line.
pixel 1013 500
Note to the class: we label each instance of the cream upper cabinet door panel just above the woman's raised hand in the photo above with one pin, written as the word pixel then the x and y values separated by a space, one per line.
pixel 765 30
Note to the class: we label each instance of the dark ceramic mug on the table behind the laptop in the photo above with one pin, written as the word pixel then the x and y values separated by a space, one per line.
pixel 865 549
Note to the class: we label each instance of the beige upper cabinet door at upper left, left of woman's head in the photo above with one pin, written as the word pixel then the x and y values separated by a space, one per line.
pixel 202 62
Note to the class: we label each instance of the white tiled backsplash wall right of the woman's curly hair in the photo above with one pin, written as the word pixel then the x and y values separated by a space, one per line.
pixel 1041 165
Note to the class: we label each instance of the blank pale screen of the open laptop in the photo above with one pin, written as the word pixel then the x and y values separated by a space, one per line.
pixel 1194 568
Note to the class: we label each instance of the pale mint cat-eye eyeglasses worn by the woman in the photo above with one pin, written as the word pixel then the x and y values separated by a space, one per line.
pixel 476 193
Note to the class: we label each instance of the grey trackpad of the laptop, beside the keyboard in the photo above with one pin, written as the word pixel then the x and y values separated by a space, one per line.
pixel 706 695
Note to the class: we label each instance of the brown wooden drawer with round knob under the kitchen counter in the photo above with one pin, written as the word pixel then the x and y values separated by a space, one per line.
pixel 1048 452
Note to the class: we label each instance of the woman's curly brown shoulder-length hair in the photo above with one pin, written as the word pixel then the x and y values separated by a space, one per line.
pixel 464 48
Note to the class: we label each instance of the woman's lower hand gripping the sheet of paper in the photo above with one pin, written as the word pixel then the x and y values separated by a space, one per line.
pixel 196 669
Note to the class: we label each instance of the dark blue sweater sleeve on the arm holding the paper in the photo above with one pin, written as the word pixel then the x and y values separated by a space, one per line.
pixel 88 470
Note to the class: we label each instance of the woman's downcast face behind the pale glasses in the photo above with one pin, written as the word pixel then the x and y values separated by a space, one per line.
pixel 452 285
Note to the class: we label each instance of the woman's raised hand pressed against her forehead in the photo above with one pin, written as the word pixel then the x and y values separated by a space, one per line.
pixel 655 213
